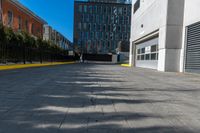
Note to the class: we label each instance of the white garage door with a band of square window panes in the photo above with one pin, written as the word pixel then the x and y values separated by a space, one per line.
pixel 147 54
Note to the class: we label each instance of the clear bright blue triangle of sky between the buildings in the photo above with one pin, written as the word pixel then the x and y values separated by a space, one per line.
pixel 58 14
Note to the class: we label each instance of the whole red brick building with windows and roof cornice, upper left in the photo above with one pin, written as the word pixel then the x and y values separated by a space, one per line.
pixel 19 18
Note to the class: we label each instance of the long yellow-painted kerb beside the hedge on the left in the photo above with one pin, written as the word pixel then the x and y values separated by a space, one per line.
pixel 21 66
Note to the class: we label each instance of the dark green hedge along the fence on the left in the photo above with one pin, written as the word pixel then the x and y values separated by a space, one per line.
pixel 22 47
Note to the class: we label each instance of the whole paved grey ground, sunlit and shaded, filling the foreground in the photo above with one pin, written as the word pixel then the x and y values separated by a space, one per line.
pixel 98 98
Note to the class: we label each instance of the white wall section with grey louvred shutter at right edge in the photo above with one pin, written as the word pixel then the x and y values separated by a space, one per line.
pixel 190 50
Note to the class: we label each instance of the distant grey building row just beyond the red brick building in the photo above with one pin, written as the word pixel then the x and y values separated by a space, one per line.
pixel 56 38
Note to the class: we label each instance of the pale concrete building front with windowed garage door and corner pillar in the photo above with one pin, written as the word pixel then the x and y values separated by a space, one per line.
pixel 156 39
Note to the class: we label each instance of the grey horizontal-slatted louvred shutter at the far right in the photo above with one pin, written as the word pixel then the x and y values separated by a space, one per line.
pixel 193 49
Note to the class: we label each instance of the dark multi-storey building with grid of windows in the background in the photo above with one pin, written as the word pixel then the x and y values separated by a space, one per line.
pixel 101 26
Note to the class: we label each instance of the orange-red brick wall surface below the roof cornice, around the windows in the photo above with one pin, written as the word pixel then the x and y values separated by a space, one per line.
pixel 28 22
